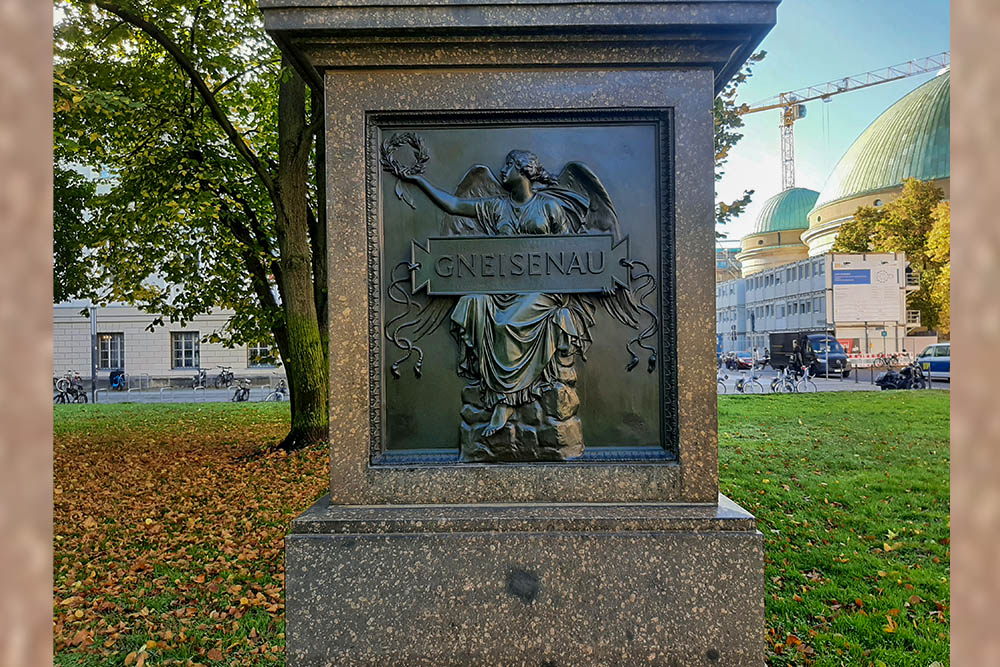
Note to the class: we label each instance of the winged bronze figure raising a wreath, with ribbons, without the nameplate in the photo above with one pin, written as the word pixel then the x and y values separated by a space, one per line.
pixel 513 345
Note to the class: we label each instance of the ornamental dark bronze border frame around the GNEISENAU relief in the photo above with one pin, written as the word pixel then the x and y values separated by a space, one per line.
pixel 662 119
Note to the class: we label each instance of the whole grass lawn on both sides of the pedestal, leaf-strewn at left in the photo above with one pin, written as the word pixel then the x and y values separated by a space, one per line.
pixel 169 522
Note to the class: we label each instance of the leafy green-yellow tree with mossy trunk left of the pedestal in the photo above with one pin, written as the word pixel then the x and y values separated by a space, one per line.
pixel 210 202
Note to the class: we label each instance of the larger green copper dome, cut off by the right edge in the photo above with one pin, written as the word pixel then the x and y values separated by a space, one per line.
pixel 911 139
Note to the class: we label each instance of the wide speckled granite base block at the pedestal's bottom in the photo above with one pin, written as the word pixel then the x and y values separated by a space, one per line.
pixel 538 585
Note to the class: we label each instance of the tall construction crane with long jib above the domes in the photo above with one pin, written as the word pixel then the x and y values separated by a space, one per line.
pixel 792 104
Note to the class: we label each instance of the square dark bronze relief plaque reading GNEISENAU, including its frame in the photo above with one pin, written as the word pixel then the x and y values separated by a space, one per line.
pixel 521 270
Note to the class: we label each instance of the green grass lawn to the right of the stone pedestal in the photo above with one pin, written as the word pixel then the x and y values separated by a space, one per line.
pixel 851 492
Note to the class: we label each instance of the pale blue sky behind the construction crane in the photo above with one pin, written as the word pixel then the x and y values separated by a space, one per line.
pixel 816 41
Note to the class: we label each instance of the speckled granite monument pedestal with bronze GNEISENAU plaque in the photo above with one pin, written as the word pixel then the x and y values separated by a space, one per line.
pixel 588 528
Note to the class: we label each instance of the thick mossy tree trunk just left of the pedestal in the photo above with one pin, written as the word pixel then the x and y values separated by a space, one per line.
pixel 305 363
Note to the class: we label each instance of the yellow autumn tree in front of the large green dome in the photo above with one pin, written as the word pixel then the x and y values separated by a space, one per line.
pixel 917 223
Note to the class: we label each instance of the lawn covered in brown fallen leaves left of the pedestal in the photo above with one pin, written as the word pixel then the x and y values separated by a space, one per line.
pixel 168 535
